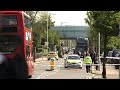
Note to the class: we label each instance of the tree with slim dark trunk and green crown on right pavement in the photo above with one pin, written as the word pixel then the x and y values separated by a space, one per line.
pixel 104 22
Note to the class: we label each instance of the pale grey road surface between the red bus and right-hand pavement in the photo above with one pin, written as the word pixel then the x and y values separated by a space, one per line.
pixel 59 72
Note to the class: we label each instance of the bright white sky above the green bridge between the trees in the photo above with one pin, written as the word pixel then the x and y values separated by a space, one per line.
pixel 73 18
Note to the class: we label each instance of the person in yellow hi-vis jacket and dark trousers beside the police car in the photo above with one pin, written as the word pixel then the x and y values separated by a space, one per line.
pixel 88 62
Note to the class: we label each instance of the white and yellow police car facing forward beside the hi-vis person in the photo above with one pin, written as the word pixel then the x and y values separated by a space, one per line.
pixel 73 59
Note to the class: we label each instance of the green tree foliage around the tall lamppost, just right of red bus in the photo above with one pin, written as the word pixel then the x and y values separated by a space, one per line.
pixel 40 30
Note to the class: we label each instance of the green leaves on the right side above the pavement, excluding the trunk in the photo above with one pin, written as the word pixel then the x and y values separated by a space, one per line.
pixel 103 22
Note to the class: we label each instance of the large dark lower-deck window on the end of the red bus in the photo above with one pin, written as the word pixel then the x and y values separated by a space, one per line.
pixel 8 43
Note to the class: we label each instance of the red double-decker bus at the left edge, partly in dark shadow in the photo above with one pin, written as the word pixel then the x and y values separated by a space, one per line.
pixel 16 43
